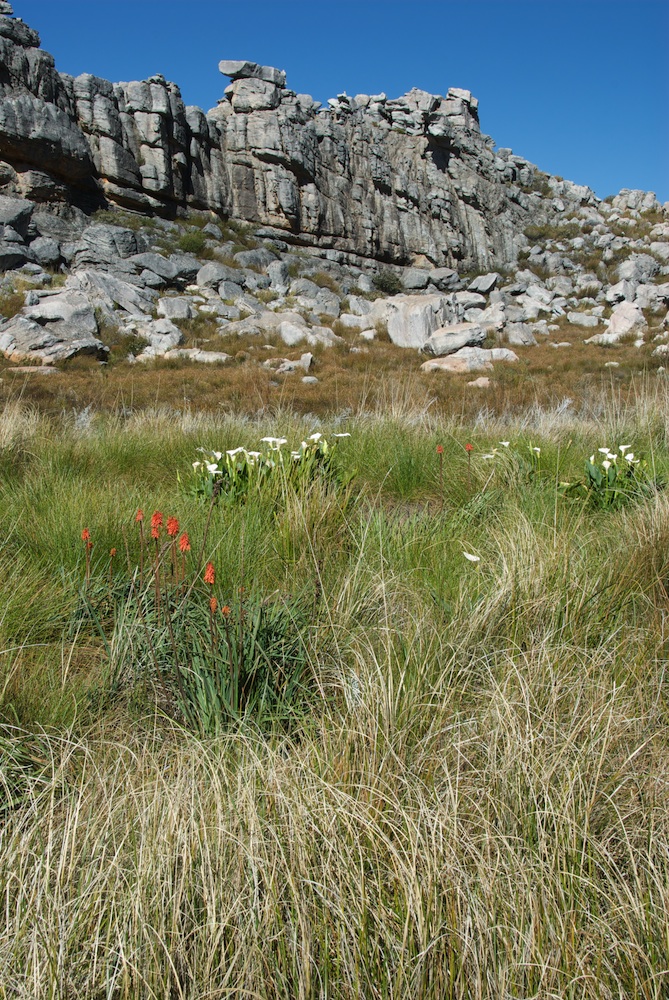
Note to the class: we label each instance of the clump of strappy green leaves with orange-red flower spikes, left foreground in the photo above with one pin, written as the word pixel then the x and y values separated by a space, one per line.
pixel 211 661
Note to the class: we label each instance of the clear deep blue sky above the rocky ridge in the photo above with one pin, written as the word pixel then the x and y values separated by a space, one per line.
pixel 579 87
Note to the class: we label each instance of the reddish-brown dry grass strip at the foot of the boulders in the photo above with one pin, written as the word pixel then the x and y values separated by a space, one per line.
pixel 347 381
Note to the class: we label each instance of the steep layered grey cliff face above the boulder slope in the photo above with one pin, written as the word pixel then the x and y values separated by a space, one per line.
pixel 411 180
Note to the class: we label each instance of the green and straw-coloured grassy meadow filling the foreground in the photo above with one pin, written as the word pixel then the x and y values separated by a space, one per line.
pixel 448 776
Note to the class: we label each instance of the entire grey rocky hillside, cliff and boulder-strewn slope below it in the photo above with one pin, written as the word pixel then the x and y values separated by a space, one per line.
pixel 123 210
